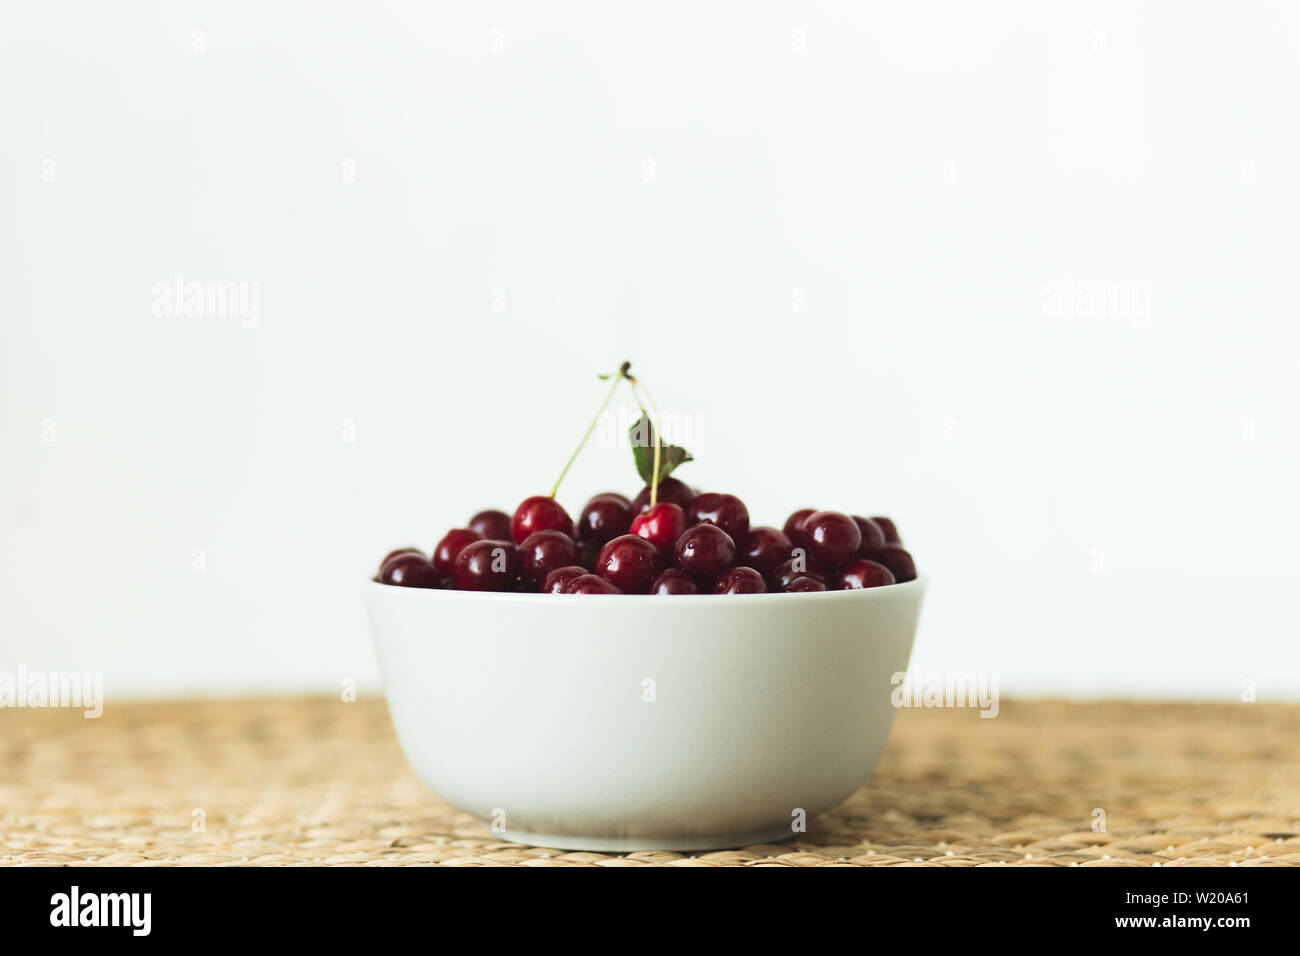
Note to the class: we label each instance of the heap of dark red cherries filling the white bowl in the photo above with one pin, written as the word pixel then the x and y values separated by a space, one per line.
pixel 686 544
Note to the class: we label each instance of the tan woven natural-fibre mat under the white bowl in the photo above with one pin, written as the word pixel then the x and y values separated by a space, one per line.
pixel 309 782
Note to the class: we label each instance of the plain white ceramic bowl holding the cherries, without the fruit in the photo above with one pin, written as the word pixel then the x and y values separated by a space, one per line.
pixel 619 723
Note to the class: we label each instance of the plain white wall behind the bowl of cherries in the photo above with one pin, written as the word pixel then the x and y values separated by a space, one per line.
pixel 1020 275
